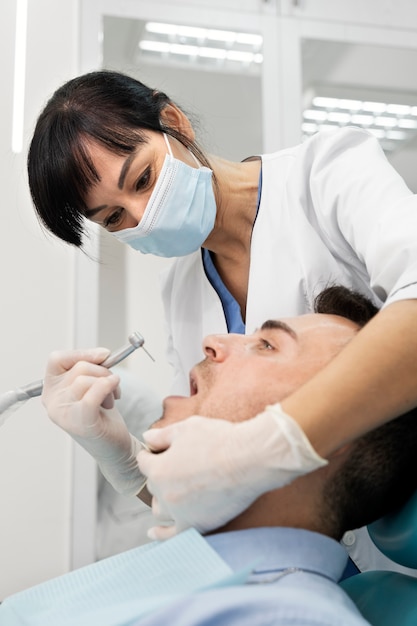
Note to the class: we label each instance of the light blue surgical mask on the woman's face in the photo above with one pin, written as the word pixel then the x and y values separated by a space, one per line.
pixel 180 213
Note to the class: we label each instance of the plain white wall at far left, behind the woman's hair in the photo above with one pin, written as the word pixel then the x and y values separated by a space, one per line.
pixel 36 315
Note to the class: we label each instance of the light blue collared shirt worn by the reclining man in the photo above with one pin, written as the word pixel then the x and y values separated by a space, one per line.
pixel 294 584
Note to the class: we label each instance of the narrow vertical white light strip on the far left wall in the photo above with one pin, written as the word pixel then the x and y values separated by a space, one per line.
pixel 19 77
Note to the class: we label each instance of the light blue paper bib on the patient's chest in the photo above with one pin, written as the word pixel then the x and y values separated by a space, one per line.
pixel 130 585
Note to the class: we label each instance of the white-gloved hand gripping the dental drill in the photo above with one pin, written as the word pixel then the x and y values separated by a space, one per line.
pixel 78 395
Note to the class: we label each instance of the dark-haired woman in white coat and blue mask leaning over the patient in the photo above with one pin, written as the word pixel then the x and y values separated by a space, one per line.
pixel 255 240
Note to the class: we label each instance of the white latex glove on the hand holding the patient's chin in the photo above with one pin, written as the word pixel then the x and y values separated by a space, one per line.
pixel 212 470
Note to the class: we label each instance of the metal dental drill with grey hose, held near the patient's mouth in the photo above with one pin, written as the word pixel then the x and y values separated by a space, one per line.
pixel 11 400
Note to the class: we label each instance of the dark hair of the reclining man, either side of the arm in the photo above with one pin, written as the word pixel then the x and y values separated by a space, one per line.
pixel 380 472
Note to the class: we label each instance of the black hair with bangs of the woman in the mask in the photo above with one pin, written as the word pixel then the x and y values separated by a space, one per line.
pixel 108 107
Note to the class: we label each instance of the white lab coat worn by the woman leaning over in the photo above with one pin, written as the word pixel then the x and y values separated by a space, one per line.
pixel 332 211
